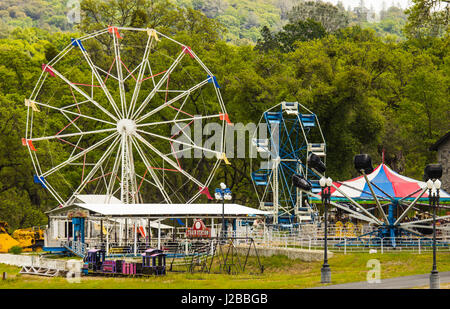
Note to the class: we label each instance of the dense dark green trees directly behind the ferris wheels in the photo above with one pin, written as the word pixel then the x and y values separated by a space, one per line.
pixel 369 93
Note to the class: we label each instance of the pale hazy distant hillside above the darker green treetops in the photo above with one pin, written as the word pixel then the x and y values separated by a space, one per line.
pixel 242 19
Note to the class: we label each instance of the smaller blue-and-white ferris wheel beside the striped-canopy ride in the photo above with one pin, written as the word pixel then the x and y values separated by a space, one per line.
pixel 293 133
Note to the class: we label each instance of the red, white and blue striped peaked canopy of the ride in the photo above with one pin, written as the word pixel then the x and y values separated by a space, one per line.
pixel 386 184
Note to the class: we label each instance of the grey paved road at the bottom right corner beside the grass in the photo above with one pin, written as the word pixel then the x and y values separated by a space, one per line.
pixel 393 283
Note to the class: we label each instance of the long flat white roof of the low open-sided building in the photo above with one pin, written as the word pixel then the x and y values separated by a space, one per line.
pixel 167 210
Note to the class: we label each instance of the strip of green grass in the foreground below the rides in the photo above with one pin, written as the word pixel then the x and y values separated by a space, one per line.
pixel 280 273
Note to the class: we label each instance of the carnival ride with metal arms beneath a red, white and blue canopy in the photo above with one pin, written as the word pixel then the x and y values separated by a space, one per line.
pixel 385 199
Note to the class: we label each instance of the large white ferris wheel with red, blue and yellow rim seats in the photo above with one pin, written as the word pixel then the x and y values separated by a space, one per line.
pixel 113 114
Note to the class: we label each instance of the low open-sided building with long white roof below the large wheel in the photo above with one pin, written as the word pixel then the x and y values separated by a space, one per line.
pixel 130 228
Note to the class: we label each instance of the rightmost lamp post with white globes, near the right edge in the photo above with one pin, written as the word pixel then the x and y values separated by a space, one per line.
pixel 433 172
